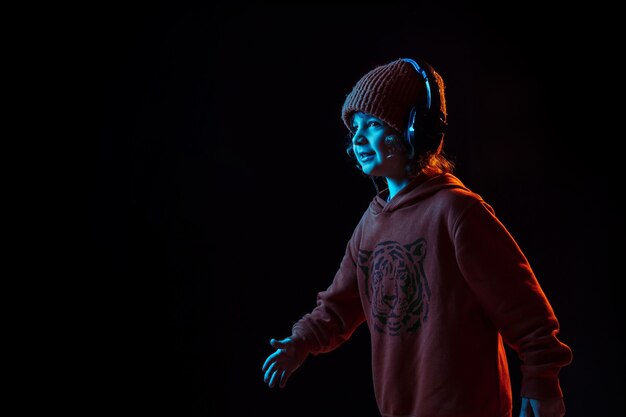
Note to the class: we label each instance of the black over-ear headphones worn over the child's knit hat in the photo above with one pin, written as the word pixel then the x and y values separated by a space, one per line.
pixel 427 122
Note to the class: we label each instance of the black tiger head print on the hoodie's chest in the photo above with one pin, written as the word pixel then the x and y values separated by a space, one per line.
pixel 396 286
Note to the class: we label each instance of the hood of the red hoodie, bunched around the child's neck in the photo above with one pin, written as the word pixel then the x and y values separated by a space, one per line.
pixel 420 188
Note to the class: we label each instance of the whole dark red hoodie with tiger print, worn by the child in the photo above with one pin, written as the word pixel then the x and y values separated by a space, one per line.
pixel 442 286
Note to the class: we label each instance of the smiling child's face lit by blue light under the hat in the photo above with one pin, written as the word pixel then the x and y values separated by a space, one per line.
pixel 379 149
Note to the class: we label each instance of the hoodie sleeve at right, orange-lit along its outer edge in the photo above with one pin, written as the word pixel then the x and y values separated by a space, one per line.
pixel 502 279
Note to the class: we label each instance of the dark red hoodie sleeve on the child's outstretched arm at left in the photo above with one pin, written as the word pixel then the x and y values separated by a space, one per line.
pixel 338 312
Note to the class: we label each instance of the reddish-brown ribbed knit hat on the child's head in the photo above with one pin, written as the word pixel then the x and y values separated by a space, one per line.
pixel 388 92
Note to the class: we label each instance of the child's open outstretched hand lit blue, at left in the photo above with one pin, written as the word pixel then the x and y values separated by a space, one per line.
pixel 279 366
